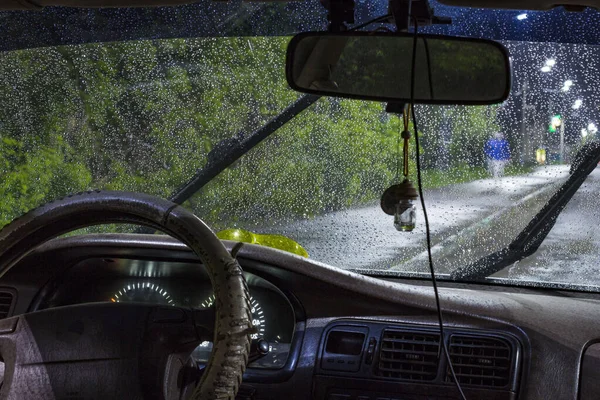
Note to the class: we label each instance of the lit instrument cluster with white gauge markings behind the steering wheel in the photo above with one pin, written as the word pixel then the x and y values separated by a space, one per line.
pixel 180 284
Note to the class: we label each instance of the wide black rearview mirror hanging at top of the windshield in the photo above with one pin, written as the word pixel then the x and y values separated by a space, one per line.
pixel 377 66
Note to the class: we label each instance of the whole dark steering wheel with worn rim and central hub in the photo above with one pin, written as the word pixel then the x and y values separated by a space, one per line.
pixel 132 351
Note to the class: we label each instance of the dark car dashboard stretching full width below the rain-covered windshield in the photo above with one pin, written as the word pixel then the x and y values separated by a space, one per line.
pixel 336 335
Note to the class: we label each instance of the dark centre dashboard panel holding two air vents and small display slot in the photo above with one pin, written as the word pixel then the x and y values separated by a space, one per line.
pixel 365 360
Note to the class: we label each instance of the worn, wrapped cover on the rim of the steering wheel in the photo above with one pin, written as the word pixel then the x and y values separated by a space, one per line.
pixel 231 344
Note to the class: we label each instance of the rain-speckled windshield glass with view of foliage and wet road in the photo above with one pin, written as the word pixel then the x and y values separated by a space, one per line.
pixel 145 109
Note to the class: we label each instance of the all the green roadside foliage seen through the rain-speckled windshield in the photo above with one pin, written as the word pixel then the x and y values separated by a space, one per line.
pixel 144 115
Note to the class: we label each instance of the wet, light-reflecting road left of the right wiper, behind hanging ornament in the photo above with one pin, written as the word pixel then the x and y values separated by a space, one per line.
pixel 365 238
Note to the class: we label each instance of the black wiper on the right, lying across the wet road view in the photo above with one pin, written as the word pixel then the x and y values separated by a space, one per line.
pixel 530 239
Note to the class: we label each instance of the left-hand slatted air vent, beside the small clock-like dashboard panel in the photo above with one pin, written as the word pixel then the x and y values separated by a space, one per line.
pixel 409 355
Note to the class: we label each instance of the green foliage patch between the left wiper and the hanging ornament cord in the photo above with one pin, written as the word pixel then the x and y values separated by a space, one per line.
pixel 336 156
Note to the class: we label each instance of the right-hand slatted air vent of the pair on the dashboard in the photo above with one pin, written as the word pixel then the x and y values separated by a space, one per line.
pixel 480 361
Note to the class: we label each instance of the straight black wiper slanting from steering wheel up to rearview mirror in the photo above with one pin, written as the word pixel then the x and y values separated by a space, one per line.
pixel 232 149
